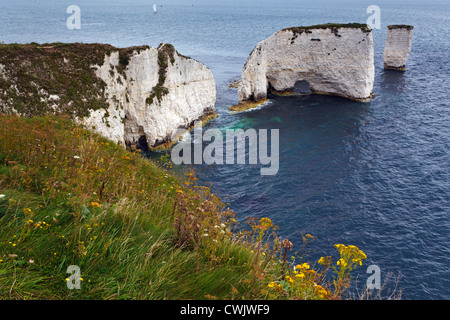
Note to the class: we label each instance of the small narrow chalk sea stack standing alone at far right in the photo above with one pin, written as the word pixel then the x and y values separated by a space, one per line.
pixel 397 47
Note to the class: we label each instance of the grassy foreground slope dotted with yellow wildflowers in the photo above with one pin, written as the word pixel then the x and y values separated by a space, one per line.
pixel 71 197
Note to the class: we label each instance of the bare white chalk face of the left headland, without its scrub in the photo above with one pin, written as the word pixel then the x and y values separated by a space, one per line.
pixel 161 92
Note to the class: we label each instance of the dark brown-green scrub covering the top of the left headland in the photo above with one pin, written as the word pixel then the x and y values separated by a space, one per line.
pixel 30 73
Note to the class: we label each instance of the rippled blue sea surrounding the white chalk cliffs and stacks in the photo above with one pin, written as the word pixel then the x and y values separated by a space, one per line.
pixel 375 175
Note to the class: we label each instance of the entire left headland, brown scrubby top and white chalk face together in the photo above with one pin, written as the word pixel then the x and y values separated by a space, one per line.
pixel 135 96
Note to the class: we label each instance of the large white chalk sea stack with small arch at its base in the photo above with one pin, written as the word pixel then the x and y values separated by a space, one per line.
pixel 333 59
